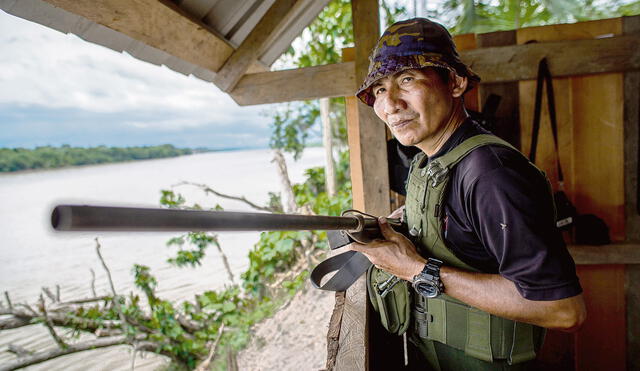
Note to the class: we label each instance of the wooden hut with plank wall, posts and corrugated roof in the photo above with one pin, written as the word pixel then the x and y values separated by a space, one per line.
pixel 596 66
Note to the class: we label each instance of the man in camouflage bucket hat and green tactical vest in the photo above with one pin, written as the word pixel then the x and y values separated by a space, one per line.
pixel 486 260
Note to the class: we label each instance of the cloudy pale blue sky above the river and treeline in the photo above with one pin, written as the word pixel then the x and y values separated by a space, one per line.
pixel 59 89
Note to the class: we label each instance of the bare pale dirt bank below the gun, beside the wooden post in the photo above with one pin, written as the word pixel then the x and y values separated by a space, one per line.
pixel 294 338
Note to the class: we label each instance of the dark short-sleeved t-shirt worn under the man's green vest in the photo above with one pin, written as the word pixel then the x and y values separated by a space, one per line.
pixel 499 218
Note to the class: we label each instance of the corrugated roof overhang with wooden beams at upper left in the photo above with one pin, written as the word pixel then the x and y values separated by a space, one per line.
pixel 215 40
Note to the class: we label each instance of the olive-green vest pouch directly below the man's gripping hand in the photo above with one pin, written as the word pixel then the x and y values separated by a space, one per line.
pixel 389 297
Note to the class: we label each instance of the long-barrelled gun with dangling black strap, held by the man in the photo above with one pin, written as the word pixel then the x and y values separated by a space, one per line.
pixel 352 226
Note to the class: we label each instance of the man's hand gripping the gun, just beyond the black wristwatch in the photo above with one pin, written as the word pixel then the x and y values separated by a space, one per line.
pixel 395 254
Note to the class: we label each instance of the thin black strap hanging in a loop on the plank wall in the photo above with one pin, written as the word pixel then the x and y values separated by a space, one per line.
pixel 545 75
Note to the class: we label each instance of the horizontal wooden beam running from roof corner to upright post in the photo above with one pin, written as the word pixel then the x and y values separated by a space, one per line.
pixel 331 80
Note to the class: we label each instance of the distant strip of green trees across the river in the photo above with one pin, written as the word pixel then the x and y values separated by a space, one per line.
pixel 14 159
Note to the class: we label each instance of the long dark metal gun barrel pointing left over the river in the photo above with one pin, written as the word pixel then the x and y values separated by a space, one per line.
pixel 107 218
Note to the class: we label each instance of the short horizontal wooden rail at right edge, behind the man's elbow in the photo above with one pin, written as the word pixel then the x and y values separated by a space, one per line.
pixel 625 253
